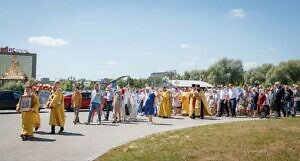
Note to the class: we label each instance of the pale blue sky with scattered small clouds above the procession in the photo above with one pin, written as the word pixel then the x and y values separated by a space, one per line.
pixel 95 39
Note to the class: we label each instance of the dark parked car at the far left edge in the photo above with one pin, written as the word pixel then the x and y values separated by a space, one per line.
pixel 9 99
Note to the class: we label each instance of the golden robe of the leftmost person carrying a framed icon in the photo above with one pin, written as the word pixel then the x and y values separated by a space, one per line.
pixel 29 117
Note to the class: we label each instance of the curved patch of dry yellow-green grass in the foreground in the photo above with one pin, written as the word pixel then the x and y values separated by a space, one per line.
pixel 276 139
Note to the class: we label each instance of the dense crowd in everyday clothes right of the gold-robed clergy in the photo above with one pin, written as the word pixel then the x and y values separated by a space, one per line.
pixel 255 101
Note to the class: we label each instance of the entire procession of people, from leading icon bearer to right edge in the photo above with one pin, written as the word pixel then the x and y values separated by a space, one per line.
pixel 195 102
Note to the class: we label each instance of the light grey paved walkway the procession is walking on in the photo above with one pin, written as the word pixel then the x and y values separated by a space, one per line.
pixel 82 142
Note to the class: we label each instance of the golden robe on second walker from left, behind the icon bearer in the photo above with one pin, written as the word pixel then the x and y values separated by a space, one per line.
pixel 57 114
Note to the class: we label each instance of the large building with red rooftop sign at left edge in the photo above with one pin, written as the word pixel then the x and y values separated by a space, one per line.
pixel 16 64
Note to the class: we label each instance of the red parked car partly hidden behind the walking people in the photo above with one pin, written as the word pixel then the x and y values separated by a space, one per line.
pixel 86 99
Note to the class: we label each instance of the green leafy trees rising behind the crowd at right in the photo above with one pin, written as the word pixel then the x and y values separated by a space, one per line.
pixel 227 71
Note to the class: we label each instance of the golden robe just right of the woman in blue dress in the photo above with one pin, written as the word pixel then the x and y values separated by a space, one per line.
pixel 165 105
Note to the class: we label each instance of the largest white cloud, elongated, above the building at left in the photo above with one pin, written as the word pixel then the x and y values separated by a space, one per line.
pixel 47 41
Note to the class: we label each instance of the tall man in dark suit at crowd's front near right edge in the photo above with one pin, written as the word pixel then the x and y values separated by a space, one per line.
pixel 278 99
